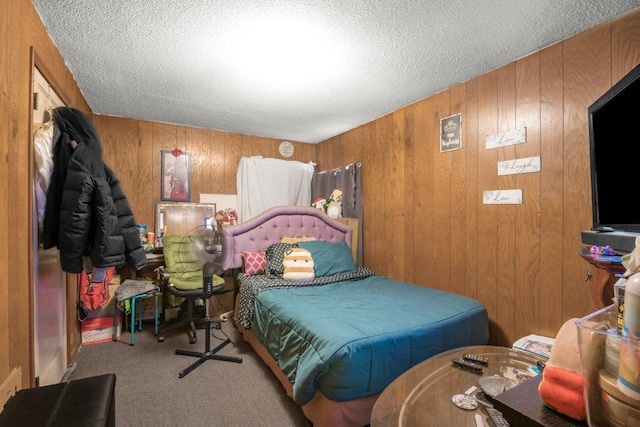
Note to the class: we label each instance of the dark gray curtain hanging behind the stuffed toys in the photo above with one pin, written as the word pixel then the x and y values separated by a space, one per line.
pixel 347 179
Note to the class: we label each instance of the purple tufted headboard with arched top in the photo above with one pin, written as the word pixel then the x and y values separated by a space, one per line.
pixel 258 233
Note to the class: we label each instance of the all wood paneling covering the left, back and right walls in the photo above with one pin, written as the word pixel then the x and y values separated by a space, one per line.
pixel 424 218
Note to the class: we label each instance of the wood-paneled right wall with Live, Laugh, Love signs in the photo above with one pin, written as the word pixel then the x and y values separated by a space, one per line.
pixel 424 219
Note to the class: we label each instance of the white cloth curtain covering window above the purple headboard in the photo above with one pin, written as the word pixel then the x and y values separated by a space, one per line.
pixel 265 183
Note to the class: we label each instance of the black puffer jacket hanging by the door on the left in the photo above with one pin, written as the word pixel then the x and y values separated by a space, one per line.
pixel 87 211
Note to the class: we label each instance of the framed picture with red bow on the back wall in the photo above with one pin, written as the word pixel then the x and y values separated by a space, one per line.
pixel 176 176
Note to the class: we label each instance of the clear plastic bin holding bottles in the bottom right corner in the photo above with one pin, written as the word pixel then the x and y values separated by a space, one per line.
pixel 599 343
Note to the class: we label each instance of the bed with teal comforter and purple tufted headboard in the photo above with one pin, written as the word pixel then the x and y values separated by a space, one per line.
pixel 337 340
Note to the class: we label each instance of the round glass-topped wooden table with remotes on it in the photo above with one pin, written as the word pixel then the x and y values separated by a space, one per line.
pixel 422 395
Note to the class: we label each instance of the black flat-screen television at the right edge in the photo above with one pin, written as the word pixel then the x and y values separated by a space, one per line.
pixel 615 167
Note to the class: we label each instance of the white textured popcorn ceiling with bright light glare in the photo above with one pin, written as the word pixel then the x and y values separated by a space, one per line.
pixel 296 70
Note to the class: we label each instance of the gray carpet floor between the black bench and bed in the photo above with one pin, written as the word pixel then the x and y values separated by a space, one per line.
pixel 217 393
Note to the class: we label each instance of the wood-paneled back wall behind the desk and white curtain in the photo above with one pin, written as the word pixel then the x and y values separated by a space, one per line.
pixel 132 148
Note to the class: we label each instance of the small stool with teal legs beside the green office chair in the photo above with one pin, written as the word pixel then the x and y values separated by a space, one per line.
pixel 134 291
